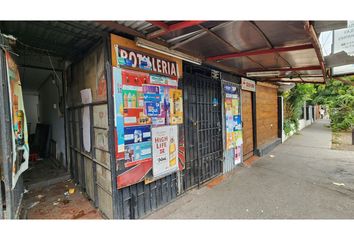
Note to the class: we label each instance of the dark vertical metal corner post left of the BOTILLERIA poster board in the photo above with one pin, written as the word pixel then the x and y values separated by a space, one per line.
pixel 111 140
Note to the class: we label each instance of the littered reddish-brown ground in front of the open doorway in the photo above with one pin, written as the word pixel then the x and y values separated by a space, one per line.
pixel 63 200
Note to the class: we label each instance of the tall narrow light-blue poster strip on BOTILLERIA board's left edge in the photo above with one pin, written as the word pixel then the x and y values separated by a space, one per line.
pixel 119 113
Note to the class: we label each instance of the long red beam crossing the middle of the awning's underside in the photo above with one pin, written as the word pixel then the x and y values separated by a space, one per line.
pixel 260 52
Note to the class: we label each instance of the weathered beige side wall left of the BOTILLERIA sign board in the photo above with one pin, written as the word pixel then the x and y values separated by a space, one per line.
pixel 91 169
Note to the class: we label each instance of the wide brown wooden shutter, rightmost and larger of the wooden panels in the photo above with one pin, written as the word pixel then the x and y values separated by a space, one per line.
pixel 267 113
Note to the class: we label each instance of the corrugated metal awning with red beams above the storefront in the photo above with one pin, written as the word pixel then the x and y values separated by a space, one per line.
pixel 287 49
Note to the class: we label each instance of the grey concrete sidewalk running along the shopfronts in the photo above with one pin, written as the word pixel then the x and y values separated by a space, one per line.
pixel 303 179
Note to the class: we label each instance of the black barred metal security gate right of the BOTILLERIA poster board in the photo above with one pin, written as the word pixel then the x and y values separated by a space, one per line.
pixel 203 127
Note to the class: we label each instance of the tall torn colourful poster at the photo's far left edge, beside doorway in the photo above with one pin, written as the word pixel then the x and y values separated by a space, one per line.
pixel 20 148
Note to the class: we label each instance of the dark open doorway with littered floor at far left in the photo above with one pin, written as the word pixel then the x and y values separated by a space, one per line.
pixel 44 108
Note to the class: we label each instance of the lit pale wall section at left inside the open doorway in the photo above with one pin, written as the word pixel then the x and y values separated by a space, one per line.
pixel 30 100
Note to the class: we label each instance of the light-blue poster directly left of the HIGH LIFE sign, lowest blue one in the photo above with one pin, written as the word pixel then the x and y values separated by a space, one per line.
pixel 137 151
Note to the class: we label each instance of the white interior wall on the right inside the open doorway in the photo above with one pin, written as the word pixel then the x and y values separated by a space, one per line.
pixel 49 114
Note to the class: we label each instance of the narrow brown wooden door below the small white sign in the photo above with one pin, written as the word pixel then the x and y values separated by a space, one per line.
pixel 247 124
